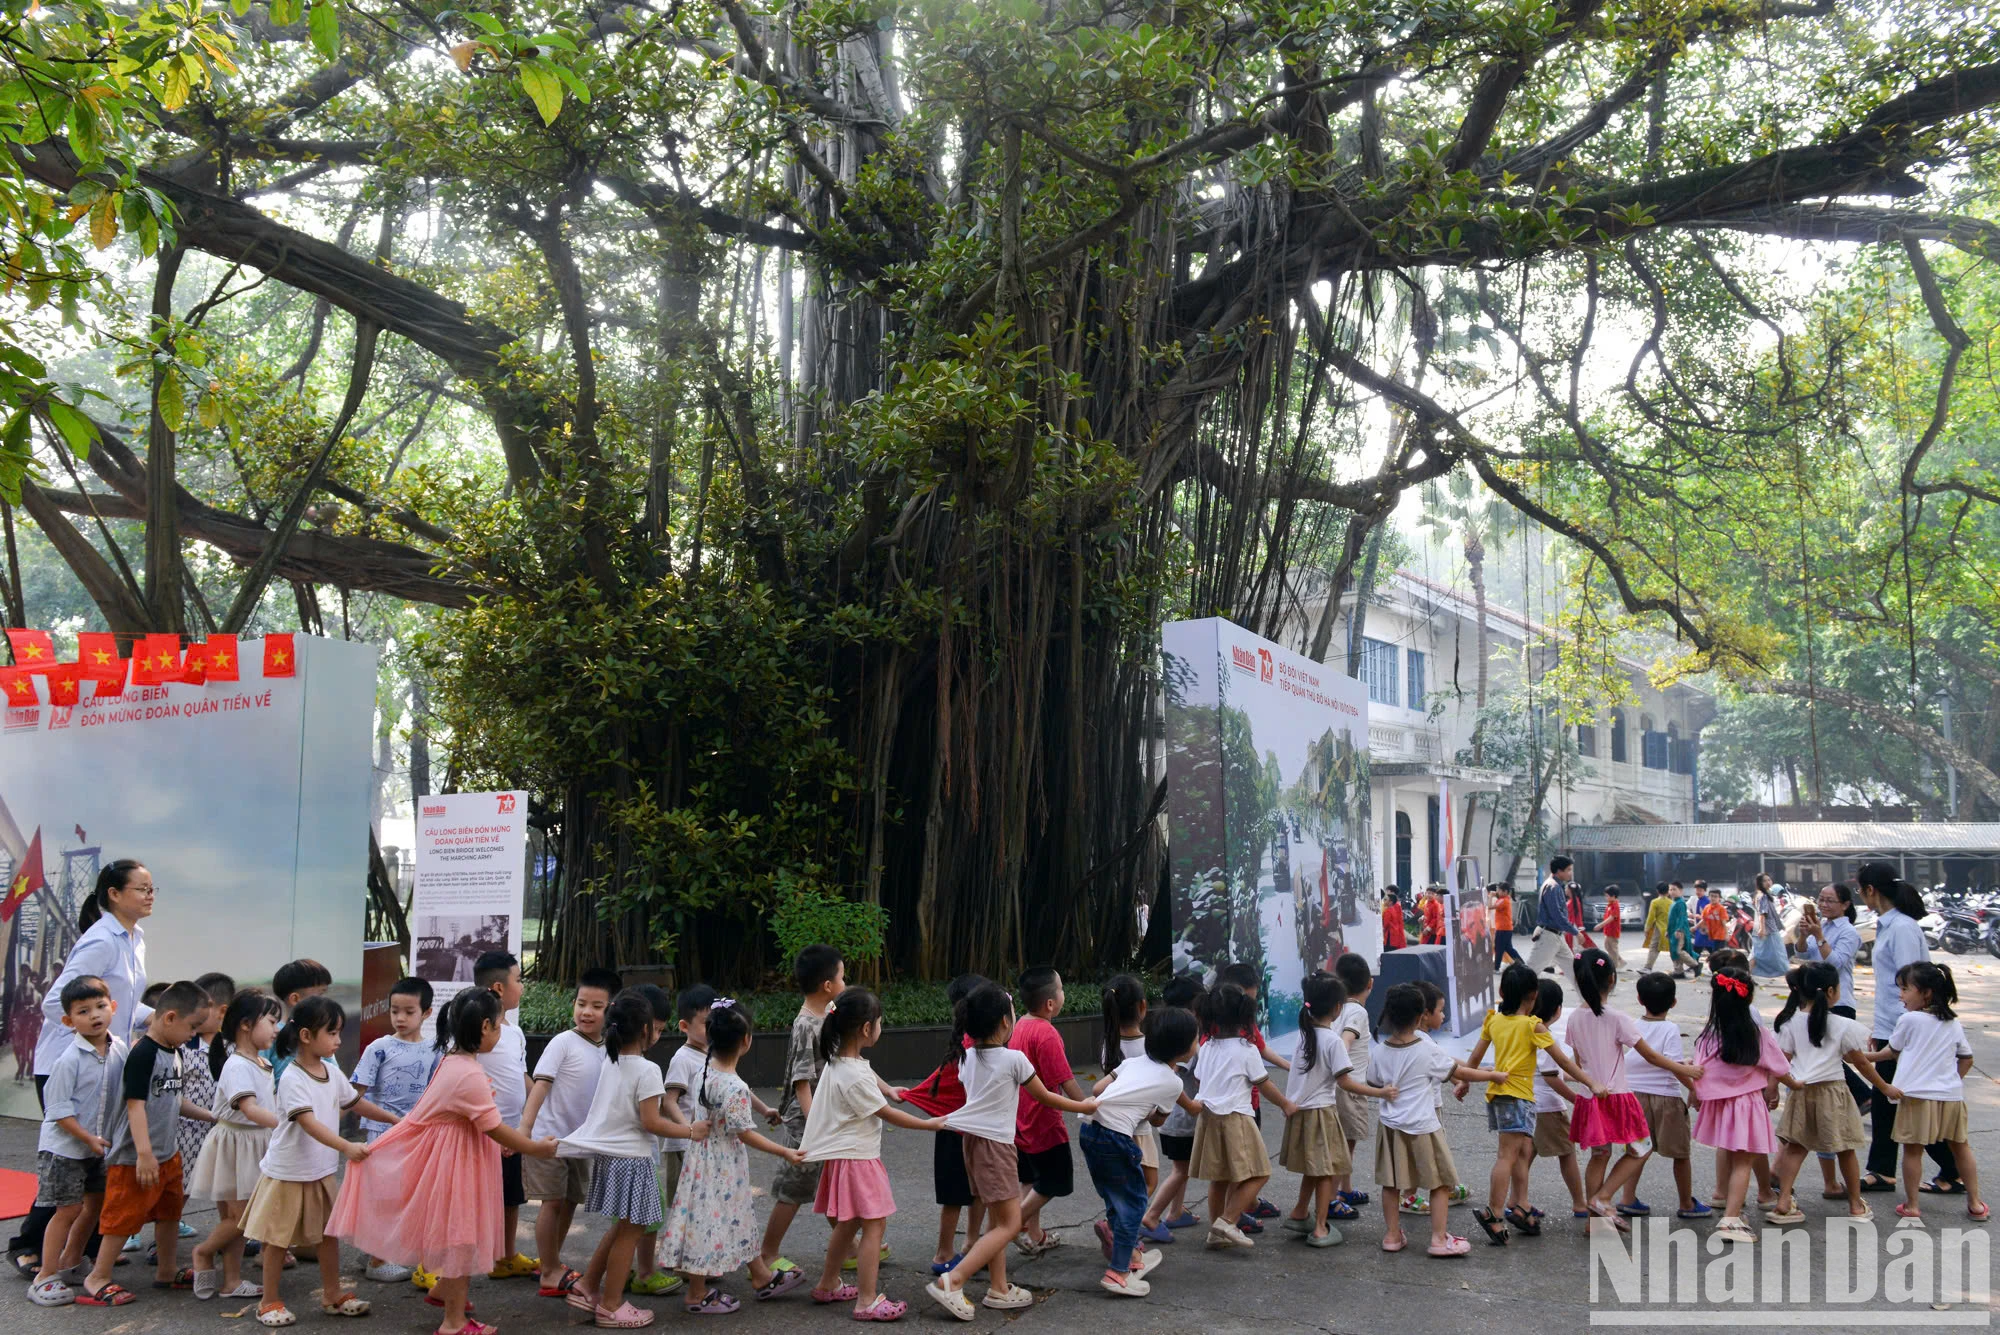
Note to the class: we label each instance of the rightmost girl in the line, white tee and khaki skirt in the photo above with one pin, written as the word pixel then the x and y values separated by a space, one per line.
pixel 1931 1082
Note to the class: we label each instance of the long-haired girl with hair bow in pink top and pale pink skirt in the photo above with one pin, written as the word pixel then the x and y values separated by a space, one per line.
pixel 1737 1090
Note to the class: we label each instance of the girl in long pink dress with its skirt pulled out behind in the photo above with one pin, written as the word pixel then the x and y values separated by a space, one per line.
pixel 429 1192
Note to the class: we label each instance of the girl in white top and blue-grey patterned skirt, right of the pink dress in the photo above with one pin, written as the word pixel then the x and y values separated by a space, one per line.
pixel 627 1112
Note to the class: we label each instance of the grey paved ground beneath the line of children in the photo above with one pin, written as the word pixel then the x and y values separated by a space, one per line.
pixel 1277 1290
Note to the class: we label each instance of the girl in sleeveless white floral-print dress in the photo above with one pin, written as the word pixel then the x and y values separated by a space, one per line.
pixel 713 1230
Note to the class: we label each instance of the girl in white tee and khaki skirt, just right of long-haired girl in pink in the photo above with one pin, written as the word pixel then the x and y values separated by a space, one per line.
pixel 1821 1114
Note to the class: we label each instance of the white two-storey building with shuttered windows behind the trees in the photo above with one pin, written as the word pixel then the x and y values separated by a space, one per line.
pixel 1419 661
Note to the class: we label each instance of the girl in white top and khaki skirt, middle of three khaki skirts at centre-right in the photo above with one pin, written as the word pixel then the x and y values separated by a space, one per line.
pixel 1315 1142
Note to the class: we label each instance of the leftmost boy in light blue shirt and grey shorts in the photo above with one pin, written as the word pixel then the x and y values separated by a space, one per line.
pixel 71 1152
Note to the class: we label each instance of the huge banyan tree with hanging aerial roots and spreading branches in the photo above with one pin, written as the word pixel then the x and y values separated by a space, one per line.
pixel 807 415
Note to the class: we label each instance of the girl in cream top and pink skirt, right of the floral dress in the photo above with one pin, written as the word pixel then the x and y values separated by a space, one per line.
pixel 845 1134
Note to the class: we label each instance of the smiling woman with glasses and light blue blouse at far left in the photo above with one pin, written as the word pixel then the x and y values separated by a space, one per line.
pixel 111 948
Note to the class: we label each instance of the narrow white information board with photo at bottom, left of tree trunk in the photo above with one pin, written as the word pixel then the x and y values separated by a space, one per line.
pixel 471 886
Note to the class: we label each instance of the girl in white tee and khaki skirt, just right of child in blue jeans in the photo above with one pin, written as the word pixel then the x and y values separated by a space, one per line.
pixel 1229 1150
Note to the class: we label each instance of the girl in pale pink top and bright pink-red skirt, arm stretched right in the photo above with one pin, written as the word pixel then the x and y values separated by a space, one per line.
pixel 1611 1118
